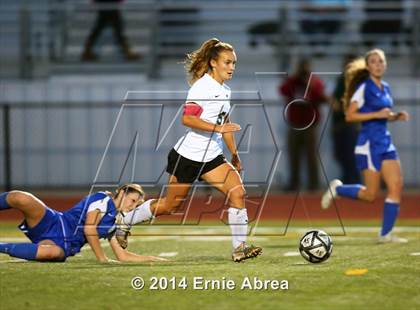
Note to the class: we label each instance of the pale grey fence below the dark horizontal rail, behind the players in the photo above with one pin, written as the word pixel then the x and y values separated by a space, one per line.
pixel 51 145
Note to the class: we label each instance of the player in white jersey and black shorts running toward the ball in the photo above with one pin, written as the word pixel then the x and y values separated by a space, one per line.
pixel 199 153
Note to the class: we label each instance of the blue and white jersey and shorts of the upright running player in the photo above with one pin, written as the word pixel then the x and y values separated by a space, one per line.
pixel 374 142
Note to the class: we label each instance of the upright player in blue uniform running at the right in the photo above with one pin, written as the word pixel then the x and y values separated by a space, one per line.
pixel 368 100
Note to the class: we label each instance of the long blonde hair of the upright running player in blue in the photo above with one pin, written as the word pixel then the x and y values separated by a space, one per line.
pixel 356 72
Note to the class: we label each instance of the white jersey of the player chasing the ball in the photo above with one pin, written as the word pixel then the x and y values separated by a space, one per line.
pixel 213 98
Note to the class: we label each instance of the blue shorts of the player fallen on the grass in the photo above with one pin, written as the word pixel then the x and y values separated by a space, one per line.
pixel 51 227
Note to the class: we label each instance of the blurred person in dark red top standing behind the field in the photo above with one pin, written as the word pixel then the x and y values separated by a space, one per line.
pixel 302 141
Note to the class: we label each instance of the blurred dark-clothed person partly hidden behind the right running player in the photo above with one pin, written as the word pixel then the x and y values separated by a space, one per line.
pixel 344 134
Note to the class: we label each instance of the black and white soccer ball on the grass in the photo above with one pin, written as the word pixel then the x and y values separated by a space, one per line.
pixel 315 246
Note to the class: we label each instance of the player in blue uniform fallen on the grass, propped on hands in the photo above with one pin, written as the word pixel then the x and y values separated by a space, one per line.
pixel 55 235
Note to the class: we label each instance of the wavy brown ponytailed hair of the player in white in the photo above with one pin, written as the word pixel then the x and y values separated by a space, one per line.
pixel 197 63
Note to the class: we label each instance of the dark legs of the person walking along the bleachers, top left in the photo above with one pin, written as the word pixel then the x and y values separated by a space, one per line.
pixel 108 16
